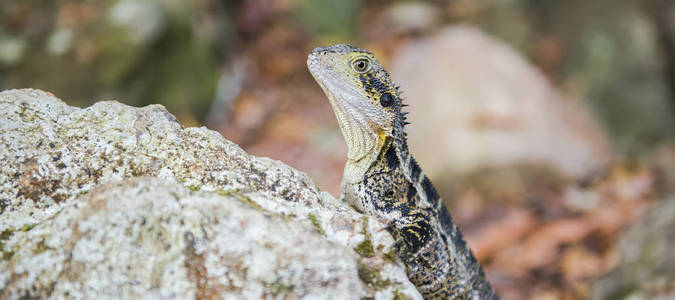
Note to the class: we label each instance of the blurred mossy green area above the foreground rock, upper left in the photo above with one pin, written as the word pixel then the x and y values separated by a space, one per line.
pixel 141 51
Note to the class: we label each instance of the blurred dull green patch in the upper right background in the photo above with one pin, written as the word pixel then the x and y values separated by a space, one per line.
pixel 613 48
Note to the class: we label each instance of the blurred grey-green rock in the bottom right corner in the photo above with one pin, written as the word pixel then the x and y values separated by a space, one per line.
pixel 647 262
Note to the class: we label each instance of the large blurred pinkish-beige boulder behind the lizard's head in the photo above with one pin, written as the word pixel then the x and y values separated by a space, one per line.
pixel 483 105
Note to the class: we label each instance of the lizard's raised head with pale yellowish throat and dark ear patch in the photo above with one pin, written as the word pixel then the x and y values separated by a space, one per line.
pixel 365 100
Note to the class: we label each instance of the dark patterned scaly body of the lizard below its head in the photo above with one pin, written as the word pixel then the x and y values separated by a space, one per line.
pixel 437 259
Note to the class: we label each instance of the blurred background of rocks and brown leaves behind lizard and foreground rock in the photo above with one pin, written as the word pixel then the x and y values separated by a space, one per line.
pixel 547 126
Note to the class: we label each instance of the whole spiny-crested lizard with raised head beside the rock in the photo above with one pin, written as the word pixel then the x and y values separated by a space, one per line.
pixel 381 177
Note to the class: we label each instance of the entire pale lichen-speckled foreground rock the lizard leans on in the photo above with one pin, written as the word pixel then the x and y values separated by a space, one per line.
pixel 213 222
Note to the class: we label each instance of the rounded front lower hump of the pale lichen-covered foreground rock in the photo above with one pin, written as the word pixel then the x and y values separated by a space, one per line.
pixel 148 237
